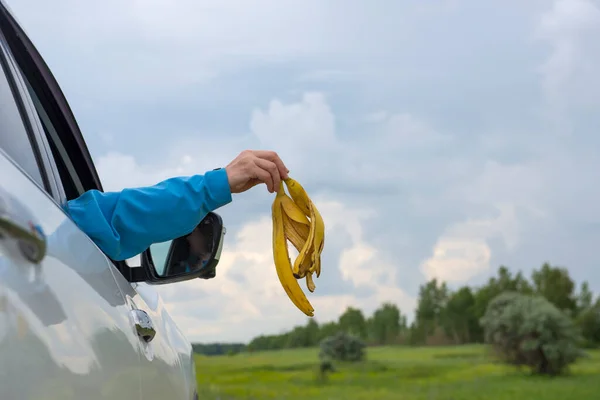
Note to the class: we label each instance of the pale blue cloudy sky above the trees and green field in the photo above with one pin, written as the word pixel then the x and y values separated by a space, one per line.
pixel 438 139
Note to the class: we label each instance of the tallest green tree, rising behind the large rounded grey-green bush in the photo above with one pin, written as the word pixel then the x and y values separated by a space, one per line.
pixel 556 285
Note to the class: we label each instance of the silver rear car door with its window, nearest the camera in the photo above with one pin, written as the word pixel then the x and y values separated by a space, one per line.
pixel 65 327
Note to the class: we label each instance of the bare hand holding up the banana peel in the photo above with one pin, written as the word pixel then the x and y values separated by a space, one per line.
pixel 252 167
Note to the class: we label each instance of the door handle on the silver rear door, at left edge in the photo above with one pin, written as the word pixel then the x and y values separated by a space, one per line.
pixel 16 222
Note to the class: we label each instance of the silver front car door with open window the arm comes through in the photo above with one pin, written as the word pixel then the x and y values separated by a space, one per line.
pixel 166 363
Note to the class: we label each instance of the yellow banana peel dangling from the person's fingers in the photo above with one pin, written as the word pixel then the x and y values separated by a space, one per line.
pixel 296 218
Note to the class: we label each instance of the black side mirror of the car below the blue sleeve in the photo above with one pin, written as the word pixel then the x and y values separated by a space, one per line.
pixel 195 255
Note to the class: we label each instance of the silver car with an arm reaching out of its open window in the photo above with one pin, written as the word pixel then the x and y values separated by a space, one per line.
pixel 75 324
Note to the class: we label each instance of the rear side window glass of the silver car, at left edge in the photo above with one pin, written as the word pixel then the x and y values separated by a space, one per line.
pixel 14 138
